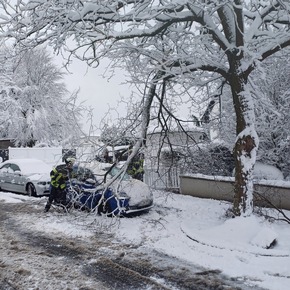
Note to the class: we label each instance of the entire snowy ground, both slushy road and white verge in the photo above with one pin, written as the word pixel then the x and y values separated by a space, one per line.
pixel 180 231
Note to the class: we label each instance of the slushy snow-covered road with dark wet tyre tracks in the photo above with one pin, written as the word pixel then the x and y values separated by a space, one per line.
pixel 81 251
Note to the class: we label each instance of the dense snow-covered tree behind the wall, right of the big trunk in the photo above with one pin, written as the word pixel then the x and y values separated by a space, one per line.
pixel 273 118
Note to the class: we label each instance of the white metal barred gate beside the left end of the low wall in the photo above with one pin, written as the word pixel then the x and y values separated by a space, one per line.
pixel 162 178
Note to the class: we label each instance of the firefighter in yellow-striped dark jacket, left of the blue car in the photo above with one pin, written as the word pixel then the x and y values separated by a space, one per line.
pixel 59 175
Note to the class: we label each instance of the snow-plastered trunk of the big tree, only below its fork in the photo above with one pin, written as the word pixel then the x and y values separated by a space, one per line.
pixel 245 147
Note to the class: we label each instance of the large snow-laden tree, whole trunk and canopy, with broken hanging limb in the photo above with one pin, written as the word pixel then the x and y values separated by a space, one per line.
pixel 198 40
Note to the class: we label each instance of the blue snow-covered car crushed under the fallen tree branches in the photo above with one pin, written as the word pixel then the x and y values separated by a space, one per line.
pixel 125 196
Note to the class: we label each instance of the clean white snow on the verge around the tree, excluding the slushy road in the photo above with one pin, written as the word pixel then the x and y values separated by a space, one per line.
pixel 191 229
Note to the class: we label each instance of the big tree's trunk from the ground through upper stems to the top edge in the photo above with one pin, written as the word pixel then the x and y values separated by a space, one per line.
pixel 247 141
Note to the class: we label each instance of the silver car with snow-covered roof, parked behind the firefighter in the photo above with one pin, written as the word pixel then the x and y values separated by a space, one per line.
pixel 28 176
